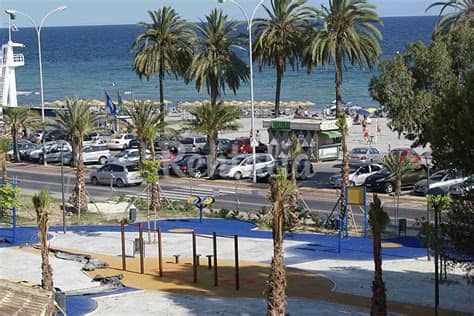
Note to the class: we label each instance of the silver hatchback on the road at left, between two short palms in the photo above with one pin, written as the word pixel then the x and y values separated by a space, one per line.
pixel 119 174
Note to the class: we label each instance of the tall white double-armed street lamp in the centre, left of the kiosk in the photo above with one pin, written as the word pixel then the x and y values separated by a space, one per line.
pixel 252 118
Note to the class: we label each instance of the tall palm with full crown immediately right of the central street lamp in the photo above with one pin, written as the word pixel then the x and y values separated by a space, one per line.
pixel 280 38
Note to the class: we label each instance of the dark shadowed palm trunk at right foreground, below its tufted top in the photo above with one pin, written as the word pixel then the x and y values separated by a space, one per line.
pixel 379 304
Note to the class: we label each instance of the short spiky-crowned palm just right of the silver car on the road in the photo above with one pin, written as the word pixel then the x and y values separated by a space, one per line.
pixel 144 116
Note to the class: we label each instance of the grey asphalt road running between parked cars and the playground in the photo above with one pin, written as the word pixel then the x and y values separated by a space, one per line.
pixel 230 194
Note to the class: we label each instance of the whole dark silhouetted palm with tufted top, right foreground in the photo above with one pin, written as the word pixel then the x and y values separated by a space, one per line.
pixel 378 220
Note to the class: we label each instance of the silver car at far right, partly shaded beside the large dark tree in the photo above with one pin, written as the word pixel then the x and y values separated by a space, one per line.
pixel 442 180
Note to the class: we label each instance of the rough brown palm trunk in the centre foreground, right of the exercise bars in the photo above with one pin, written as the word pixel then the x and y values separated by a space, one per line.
pixel 276 284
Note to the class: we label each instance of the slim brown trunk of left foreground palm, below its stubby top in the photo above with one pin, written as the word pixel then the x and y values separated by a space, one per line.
pixel 46 271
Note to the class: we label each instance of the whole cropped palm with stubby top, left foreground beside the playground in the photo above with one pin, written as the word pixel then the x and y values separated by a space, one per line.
pixel 41 202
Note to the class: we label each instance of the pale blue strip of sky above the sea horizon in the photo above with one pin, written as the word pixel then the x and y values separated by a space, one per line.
pixel 108 12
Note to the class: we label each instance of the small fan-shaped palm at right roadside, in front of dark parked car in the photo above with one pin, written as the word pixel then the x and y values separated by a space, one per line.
pixel 397 166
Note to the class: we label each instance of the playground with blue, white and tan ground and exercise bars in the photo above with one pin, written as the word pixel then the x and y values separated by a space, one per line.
pixel 319 276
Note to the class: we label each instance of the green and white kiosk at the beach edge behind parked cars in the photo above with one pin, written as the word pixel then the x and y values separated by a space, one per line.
pixel 320 138
